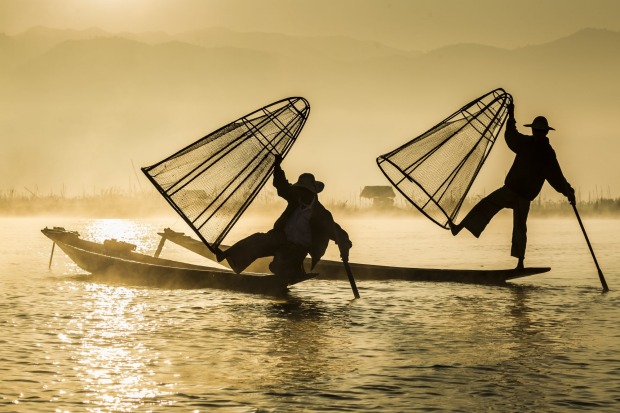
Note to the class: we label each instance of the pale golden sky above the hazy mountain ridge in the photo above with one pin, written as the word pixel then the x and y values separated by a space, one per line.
pixel 409 24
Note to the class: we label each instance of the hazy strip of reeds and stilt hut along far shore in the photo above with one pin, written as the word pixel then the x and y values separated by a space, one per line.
pixel 112 203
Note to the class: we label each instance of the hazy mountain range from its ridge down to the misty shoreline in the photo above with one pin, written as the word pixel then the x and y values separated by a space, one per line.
pixel 107 99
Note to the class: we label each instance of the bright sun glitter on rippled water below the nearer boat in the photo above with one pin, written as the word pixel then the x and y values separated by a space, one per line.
pixel 115 367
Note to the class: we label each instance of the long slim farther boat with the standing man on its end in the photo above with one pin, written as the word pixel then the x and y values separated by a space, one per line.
pixel 334 270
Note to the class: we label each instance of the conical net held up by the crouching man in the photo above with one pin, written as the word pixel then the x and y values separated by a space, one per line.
pixel 211 182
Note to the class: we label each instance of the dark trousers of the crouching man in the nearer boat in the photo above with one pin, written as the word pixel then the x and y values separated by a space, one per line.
pixel 287 257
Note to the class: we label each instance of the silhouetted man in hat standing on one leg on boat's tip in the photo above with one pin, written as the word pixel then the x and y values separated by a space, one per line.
pixel 535 162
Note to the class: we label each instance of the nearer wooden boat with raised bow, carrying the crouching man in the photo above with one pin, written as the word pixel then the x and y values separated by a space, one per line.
pixel 117 261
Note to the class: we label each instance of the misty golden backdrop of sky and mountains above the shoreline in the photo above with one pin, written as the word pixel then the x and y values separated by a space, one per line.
pixel 94 90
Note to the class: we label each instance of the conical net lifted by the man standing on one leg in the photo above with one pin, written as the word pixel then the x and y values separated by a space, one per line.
pixel 435 170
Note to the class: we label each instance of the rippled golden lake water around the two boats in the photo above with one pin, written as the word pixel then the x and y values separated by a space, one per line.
pixel 546 343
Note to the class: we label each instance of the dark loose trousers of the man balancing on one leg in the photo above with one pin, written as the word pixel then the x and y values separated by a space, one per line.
pixel 481 214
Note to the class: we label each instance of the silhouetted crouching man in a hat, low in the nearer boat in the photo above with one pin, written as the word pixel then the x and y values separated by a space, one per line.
pixel 305 226
